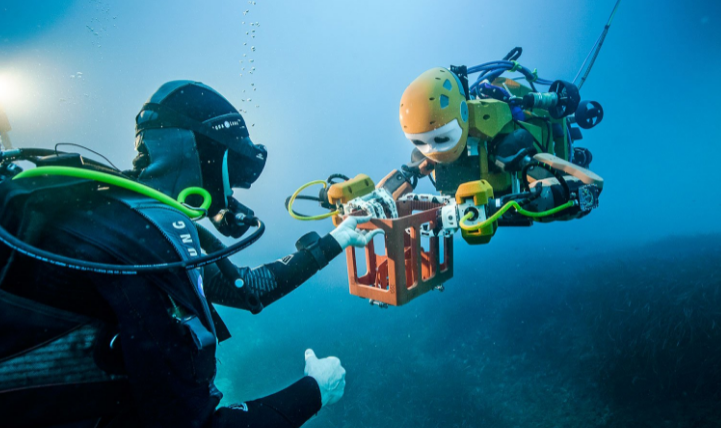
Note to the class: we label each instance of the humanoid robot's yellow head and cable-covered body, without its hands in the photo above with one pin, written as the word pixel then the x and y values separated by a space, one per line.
pixel 503 139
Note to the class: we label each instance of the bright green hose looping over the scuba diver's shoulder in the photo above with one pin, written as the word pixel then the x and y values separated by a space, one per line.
pixel 194 213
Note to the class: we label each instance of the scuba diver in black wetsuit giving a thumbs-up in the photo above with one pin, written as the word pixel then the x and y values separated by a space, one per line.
pixel 108 283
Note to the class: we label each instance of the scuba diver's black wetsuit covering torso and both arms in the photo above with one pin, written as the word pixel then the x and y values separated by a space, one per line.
pixel 160 368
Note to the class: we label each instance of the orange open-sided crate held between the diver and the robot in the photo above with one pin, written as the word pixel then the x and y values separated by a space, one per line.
pixel 406 270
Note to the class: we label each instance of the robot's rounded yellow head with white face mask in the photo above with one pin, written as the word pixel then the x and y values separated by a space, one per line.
pixel 434 115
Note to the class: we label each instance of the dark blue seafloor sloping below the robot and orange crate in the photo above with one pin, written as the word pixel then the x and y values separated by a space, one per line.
pixel 632 341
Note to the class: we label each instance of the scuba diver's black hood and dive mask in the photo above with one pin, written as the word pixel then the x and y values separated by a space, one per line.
pixel 168 128
